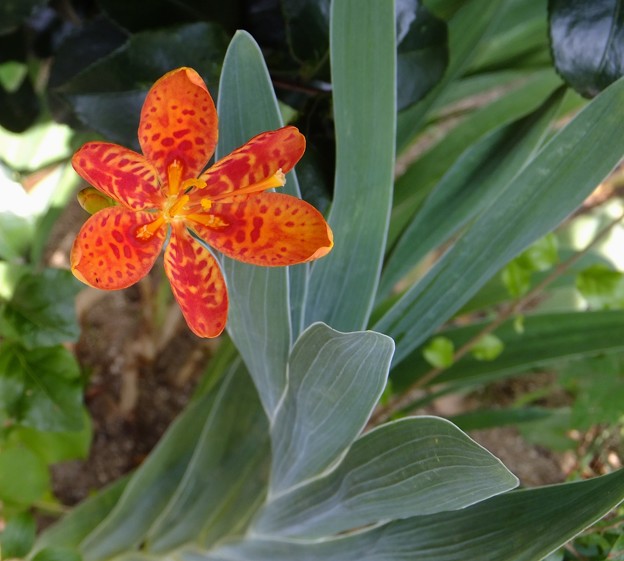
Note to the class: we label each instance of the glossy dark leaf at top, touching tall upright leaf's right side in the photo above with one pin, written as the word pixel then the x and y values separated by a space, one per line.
pixel 422 51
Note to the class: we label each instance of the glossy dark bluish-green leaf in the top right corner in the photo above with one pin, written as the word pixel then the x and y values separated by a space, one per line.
pixel 587 40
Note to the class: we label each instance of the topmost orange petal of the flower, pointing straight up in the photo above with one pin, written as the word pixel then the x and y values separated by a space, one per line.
pixel 179 122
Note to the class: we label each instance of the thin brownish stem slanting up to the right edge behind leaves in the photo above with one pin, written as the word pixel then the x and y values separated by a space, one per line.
pixel 399 402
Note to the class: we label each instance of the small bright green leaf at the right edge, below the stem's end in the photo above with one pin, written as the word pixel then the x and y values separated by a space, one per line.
pixel 602 287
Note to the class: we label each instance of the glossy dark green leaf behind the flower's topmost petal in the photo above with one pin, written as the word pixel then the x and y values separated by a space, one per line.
pixel 108 95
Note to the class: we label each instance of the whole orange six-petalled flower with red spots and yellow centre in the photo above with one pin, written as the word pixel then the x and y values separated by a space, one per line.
pixel 166 191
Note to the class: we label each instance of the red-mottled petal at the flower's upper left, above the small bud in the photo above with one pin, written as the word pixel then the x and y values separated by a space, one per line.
pixel 119 173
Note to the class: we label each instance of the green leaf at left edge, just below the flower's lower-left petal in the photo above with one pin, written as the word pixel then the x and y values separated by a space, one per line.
pixel 41 311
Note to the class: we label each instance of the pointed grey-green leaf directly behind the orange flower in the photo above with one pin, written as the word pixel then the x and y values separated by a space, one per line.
pixel 259 316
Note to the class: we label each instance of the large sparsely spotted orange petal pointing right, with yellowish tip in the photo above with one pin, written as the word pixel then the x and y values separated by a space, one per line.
pixel 270 229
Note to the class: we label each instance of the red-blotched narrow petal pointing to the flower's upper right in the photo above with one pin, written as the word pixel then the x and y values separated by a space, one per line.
pixel 256 160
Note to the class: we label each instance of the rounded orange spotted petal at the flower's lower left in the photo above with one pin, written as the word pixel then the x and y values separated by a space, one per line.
pixel 107 254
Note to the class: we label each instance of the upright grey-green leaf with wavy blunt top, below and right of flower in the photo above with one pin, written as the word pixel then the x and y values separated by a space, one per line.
pixel 335 380
